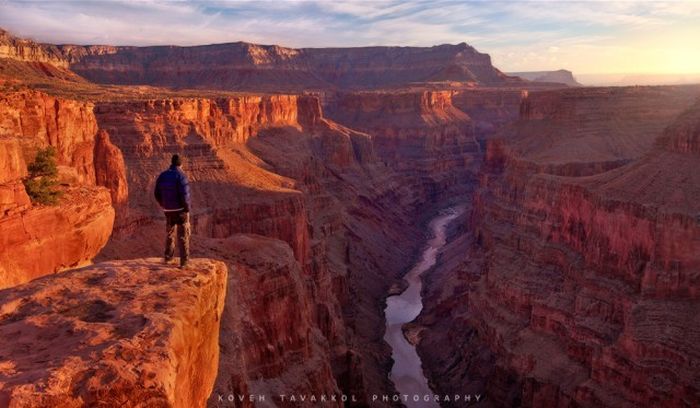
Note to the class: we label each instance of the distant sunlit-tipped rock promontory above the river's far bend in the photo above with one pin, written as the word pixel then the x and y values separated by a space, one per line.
pixel 419 134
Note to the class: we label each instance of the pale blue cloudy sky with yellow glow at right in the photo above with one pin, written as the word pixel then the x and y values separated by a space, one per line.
pixel 587 37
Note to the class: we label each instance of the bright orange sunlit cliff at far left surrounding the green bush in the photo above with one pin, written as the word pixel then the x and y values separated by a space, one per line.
pixel 75 230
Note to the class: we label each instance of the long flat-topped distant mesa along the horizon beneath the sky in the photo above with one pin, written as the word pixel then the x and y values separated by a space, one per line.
pixel 246 66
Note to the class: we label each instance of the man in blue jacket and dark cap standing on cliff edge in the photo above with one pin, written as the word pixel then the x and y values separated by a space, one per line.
pixel 173 194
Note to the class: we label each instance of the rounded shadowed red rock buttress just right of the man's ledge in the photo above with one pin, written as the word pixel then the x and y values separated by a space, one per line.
pixel 269 347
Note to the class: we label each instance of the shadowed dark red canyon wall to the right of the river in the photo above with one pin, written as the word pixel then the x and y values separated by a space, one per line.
pixel 576 289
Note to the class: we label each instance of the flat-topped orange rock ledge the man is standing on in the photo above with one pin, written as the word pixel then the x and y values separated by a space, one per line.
pixel 136 332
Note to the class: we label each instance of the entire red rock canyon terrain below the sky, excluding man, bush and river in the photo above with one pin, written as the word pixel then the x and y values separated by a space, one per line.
pixel 572 279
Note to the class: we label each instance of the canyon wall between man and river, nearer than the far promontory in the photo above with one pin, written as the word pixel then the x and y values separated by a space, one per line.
pixel 272 165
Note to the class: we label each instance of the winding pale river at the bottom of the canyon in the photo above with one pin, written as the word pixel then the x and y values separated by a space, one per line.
pixel 407 372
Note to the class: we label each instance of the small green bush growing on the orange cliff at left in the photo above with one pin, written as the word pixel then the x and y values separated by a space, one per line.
pixel 42 183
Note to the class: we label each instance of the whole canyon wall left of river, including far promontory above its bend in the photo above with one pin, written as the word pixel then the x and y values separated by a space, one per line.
pixel 275 166
